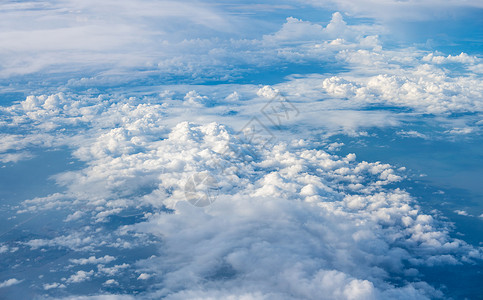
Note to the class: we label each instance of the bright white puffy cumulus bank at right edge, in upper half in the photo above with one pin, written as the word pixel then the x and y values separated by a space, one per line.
pixel 423 89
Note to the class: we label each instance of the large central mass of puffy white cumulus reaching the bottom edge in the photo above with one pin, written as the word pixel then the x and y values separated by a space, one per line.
pixel 351 232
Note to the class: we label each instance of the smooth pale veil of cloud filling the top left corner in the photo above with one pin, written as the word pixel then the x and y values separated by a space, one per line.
pixel 96 36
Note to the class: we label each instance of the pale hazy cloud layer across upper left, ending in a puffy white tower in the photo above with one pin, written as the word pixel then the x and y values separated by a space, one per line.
pixel 192 41
